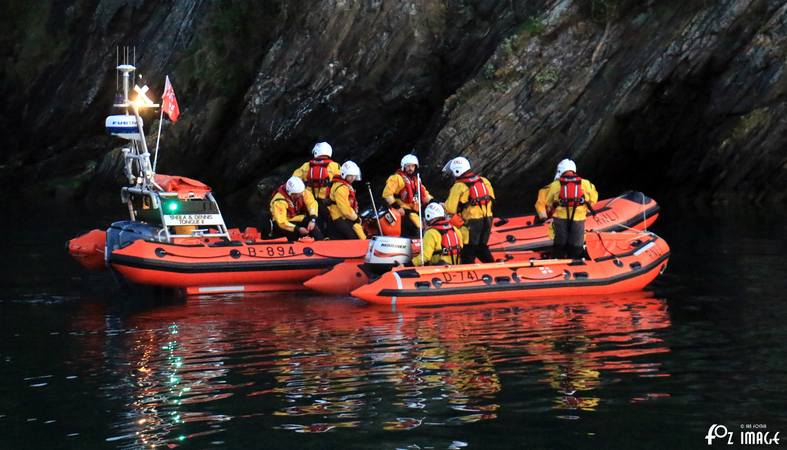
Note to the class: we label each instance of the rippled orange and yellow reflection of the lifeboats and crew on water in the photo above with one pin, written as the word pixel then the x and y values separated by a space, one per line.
pixel 314 366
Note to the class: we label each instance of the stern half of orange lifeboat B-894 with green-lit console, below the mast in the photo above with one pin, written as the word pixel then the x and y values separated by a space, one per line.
pixel 177 238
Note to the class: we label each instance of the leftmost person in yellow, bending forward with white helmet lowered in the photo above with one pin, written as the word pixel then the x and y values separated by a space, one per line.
pixel 294 211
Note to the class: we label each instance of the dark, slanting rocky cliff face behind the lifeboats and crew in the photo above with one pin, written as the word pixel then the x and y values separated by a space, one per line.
pixel 665 96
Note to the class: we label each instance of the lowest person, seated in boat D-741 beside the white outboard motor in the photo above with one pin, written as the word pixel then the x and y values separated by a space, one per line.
pixel 442 243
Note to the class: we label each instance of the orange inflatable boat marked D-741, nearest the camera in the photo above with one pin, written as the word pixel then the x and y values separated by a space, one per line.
pixel 620 262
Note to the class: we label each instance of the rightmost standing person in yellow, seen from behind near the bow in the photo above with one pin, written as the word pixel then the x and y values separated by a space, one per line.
pixel 571 196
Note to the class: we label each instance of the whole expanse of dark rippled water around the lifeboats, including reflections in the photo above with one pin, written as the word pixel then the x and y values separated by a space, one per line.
pixel 84 365
